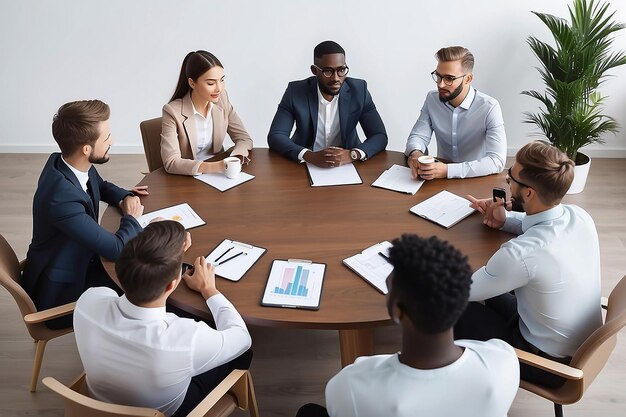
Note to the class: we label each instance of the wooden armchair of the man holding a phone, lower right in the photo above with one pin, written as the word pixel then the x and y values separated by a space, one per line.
pixel 588 360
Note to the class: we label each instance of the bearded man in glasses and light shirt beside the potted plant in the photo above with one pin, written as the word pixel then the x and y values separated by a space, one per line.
pixel 468 124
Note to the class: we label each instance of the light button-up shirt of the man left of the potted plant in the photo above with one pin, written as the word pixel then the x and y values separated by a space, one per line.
pixel 471 135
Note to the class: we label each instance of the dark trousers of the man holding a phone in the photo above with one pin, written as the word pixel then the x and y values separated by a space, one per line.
pixel 498 318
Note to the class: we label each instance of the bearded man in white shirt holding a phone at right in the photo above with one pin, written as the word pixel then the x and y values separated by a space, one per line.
pixel 553 266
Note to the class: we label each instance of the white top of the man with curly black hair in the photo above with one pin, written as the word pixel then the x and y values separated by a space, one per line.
pixel 481 383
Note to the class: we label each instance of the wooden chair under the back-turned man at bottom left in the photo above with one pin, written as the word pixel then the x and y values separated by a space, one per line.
pixel 235 391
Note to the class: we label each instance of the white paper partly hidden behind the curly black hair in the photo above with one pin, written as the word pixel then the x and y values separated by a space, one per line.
pixel 373 265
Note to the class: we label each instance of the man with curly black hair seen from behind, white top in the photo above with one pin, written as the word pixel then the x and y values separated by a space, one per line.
pixel 432 375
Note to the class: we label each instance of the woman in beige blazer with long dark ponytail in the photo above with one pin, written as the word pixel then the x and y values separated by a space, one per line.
pixel 197 118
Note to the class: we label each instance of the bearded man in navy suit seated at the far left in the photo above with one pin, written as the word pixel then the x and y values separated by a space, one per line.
pixel 63 258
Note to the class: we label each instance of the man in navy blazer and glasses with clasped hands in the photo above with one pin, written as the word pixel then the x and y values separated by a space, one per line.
pixel 326 109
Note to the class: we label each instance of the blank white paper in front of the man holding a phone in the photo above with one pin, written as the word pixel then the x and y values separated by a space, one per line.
pixel 444 208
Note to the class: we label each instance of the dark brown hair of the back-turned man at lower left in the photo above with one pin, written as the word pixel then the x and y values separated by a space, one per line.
pixel 151 260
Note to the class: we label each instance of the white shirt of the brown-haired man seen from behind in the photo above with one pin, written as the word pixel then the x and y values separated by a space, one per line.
pixel 145 356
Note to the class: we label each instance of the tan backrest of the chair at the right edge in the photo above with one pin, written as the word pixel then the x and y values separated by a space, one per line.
pixel 593 354
